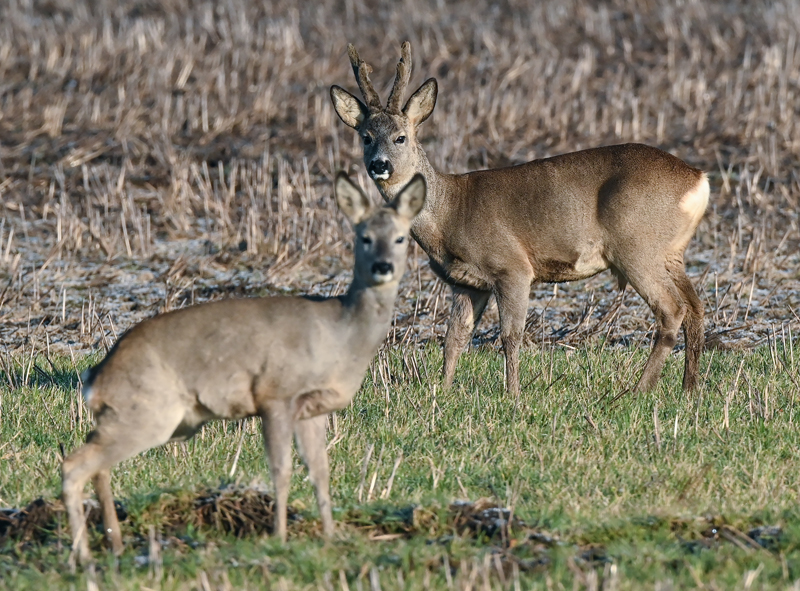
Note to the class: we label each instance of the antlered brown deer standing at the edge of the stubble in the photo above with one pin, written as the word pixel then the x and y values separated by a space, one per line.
pixel 631 209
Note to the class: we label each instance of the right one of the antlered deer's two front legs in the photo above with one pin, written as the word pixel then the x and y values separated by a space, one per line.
pixel 512 304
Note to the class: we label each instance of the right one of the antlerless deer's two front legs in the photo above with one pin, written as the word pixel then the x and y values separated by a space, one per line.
pixel 311 443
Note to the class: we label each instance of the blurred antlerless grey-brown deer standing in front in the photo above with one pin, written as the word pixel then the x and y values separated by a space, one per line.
pixel 289 360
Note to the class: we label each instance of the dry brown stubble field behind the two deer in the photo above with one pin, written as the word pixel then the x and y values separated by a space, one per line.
pixel 154 154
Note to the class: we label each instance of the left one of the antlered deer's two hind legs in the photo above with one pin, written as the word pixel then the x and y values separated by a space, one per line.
pixel 664 298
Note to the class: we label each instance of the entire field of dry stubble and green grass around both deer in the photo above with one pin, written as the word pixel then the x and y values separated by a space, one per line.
pixel 155 154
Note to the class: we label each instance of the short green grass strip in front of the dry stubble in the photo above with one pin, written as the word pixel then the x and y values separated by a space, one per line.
pixel 630 486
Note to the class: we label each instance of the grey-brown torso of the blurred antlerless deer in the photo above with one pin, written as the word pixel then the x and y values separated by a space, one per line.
pixel 258 343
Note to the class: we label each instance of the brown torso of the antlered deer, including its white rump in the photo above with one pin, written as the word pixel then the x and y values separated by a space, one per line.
pixel 530 227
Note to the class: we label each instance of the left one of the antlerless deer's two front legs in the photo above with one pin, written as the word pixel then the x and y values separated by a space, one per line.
pixel 277 423
